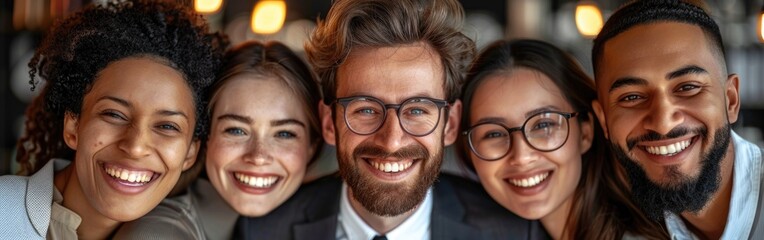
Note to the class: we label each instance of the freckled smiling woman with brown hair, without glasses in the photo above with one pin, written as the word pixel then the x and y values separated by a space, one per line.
pixel 264 133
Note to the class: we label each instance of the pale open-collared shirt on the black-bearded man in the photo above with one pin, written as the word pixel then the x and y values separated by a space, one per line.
pixel 746 179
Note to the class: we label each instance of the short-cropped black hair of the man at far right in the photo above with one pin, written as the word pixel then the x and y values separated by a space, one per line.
pixel 653 11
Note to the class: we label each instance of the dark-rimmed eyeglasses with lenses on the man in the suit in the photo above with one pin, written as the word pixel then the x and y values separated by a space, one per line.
pixel 418 116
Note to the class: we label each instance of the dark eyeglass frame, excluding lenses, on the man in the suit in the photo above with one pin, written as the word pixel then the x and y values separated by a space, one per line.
pixel 344 101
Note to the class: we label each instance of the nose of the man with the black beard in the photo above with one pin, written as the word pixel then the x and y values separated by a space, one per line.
pixel 663 116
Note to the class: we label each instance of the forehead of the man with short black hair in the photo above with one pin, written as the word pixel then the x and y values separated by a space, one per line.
pixel 651 51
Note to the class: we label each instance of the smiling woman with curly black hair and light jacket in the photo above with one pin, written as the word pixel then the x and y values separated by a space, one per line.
pixel 123 100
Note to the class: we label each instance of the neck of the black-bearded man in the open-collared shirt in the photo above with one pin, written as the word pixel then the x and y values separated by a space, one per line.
pixel 710 221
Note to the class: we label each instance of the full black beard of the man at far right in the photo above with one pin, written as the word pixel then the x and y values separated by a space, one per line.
pixel 684 193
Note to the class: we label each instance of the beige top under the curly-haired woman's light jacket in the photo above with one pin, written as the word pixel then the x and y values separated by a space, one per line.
pixel 63 222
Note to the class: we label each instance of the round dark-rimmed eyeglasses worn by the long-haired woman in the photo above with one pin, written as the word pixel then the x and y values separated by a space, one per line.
pixel 545 131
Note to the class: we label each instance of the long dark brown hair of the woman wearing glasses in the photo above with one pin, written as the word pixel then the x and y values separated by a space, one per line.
pixel 602 208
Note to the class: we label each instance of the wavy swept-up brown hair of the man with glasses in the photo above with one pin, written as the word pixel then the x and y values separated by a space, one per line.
pixel 383 23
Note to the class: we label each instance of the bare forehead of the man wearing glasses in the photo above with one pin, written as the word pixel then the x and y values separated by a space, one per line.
pixel 392 74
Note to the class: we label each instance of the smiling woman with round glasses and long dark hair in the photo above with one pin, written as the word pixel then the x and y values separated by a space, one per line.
pixel 530 135
